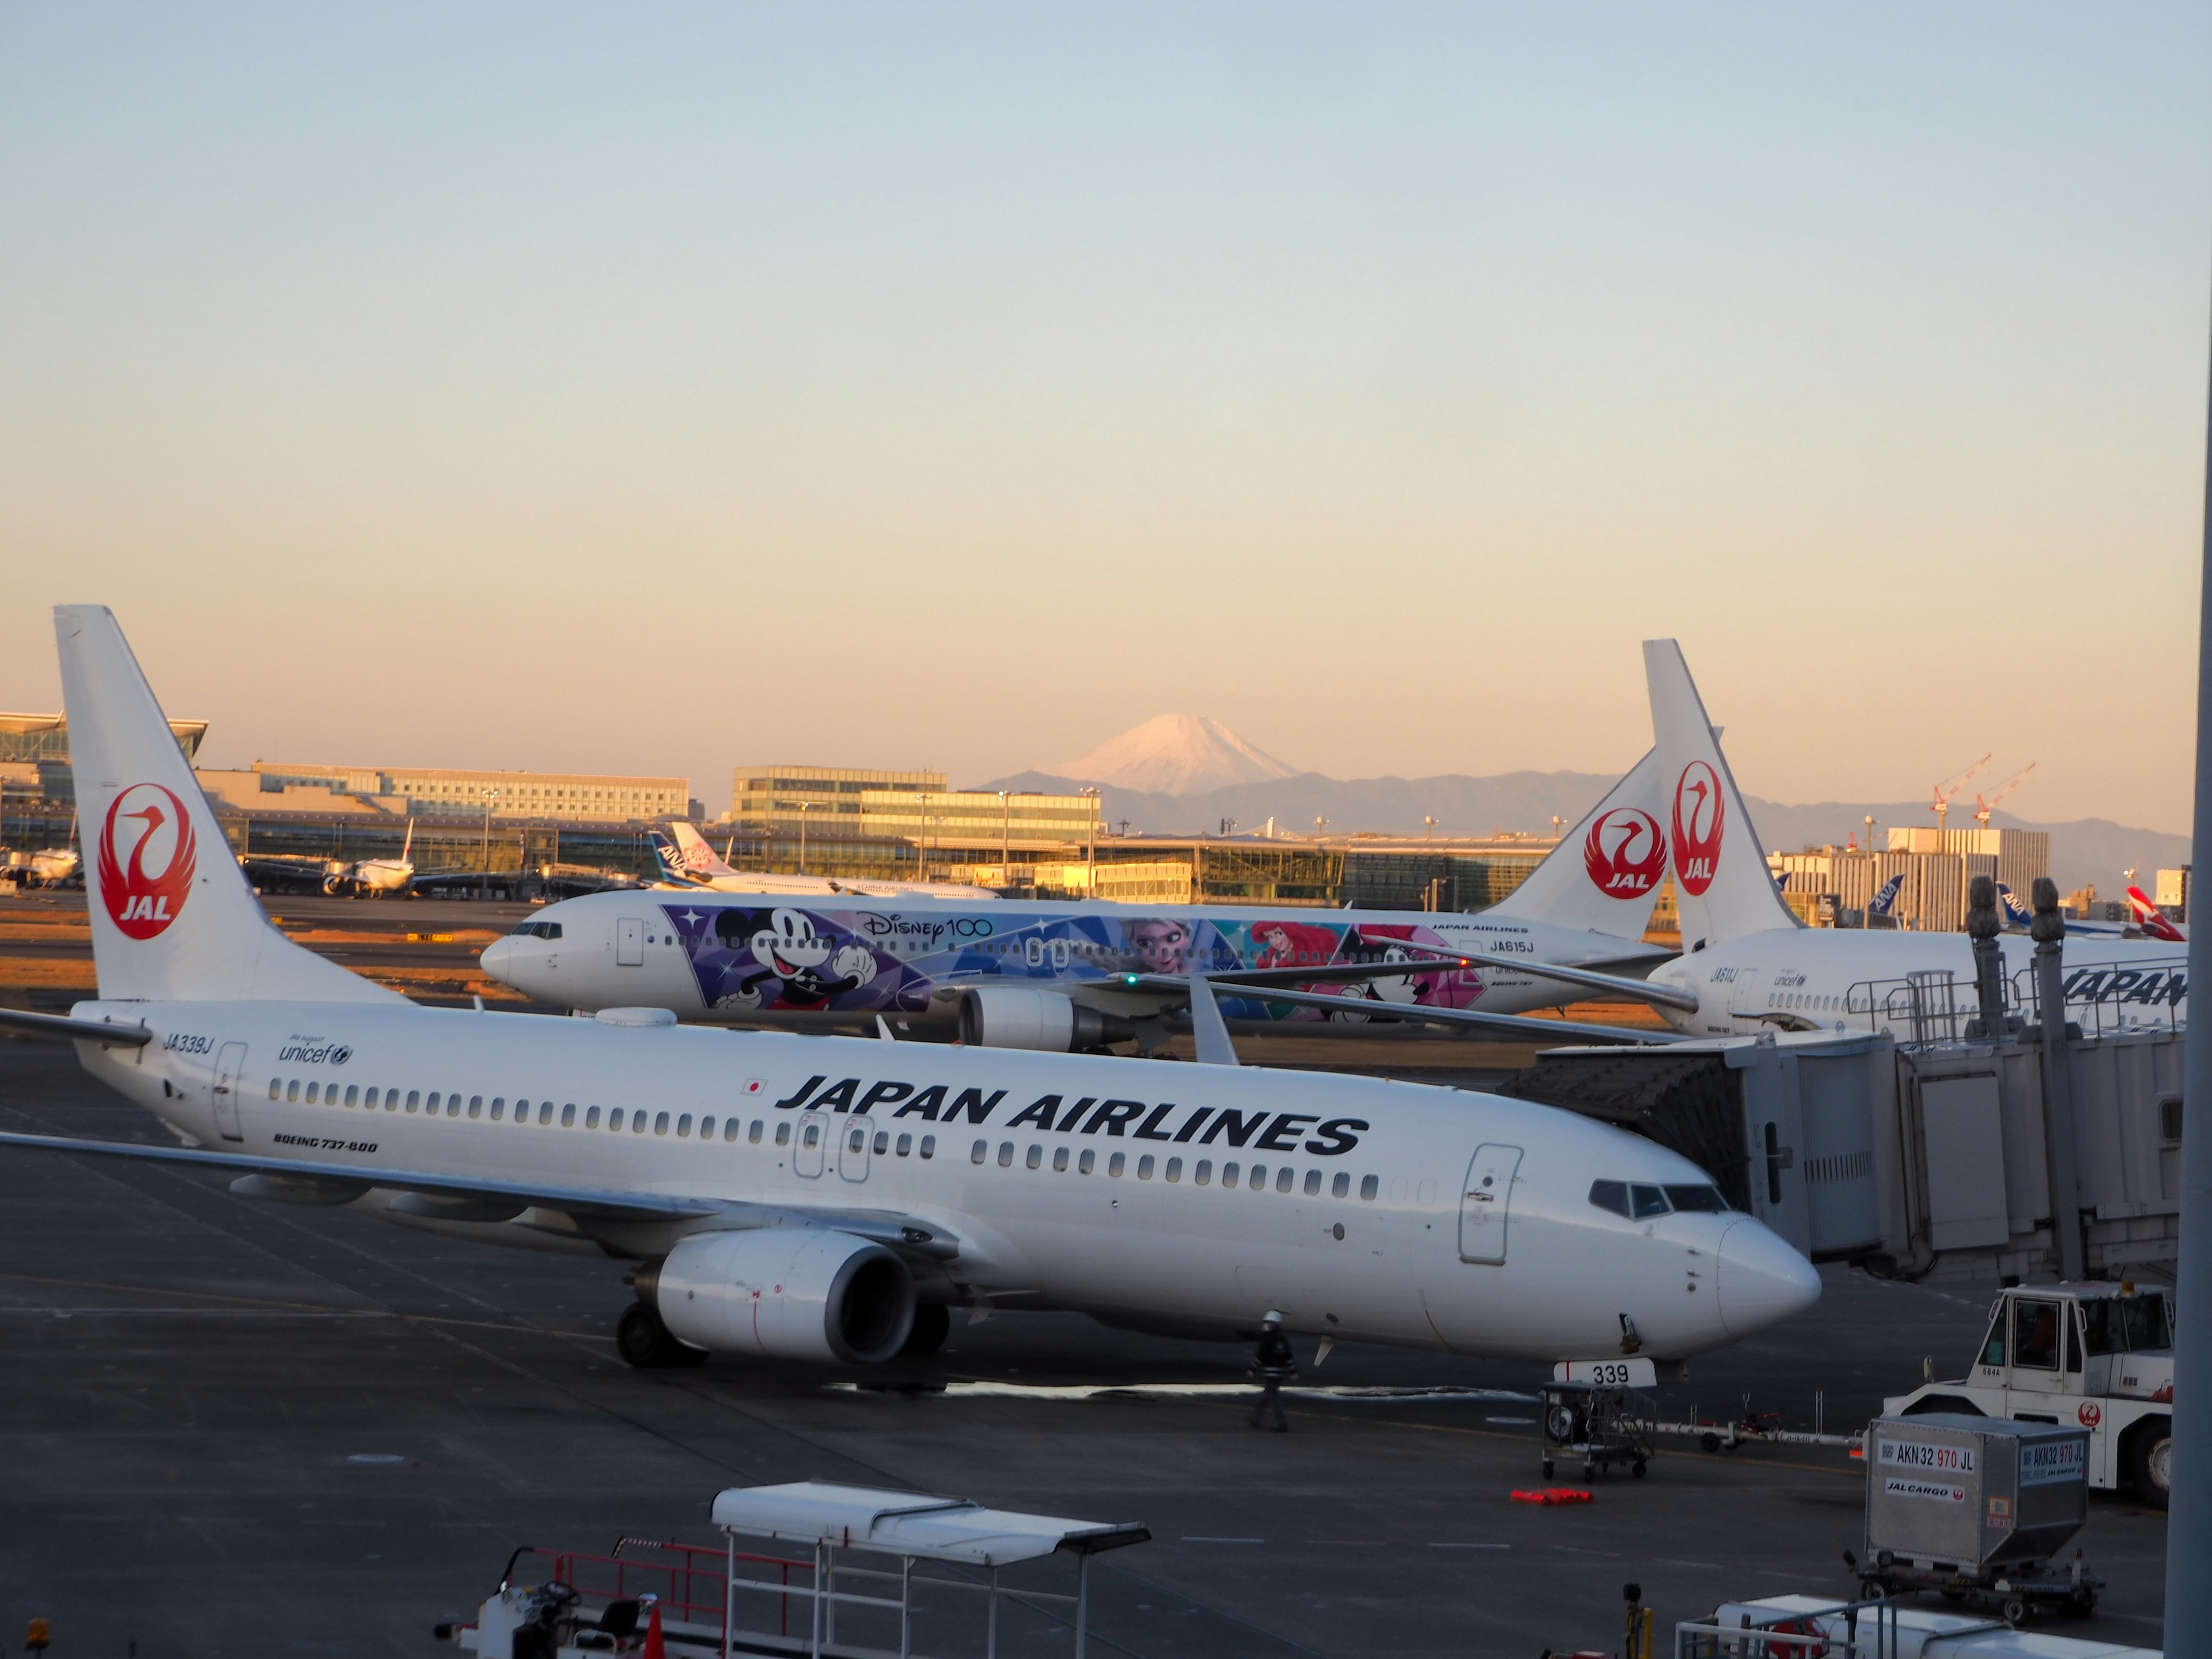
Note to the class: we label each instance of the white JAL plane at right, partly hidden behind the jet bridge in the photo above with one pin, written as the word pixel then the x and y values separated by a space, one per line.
pixel 1751 963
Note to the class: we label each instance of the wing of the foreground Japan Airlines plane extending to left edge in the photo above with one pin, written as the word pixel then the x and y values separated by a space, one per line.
pixel 904 1233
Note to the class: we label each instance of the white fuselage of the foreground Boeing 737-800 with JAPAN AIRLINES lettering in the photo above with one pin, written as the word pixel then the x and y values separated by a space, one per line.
pixel 1140 1191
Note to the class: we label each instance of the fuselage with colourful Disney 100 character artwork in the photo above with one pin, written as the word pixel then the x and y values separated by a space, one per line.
pixel 716 957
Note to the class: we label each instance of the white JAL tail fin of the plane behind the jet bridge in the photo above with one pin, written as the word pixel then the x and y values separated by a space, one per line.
pixel 1722 879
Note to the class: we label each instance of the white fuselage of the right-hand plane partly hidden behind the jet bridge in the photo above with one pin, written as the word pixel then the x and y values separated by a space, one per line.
pixel 1822 979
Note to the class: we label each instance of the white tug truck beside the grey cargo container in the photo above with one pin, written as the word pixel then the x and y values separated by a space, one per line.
pixel 2100 1357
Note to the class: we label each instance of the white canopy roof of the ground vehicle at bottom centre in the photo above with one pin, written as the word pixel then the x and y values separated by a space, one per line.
pixel 910 1523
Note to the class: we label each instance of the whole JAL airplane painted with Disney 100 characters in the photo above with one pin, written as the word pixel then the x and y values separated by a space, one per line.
pixel 1083 974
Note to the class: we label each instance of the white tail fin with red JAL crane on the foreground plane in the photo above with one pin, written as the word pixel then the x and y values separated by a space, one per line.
pixel 174 919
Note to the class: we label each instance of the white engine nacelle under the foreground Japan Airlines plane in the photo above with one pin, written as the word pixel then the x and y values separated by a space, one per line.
pixel 786 1293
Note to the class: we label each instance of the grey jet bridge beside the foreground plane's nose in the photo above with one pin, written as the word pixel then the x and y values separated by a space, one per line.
pixel 1912 1158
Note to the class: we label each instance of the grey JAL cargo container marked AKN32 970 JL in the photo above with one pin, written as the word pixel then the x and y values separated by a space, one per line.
pixel 1972 1496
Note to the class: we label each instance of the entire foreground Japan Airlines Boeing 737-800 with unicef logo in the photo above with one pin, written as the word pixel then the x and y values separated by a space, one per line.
pixel 833 1198
